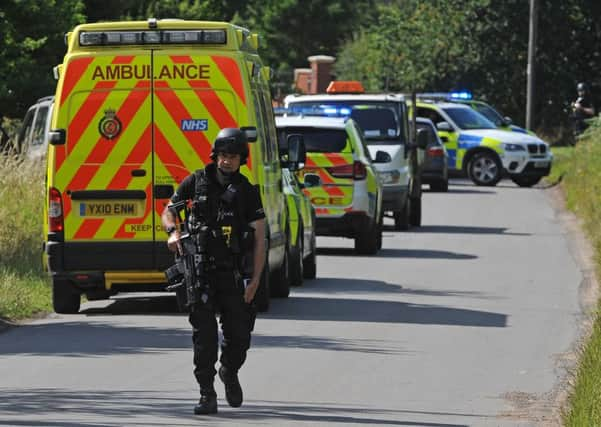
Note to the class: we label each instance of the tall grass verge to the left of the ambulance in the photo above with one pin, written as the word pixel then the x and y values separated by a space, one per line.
pixel 24 287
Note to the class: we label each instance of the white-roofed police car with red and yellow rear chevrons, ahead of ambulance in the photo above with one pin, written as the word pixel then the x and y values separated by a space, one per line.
pixel 348 201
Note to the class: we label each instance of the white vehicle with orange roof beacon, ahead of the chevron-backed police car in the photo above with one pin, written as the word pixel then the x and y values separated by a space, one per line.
pixel 384 121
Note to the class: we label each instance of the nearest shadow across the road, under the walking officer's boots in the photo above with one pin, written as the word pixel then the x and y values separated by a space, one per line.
pixel 55 407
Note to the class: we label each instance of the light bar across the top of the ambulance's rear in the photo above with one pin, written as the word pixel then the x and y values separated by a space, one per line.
pixel 112 38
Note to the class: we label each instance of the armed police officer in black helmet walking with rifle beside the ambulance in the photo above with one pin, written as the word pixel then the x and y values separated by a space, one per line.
pixel 229 211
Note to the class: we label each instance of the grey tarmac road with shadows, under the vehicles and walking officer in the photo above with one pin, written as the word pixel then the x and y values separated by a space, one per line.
pixel 468 321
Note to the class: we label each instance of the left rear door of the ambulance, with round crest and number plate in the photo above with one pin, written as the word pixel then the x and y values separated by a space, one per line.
pixel 105 167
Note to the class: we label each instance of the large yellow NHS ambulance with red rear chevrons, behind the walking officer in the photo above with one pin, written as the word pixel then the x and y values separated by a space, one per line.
pixel 137 107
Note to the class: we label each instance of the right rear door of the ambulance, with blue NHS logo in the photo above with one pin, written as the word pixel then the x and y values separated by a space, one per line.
pixel 195 95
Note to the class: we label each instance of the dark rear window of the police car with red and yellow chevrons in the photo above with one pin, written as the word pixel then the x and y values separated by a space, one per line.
pixel 317 140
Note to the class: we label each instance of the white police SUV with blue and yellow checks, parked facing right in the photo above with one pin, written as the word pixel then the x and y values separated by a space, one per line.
pixel 485 153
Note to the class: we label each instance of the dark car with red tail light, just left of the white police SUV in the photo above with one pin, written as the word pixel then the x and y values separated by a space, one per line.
pixel 435 166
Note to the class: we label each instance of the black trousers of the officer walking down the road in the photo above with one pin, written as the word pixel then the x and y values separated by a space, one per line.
pixel 236 318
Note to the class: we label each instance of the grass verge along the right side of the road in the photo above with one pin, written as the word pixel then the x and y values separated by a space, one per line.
pixel 581 170
